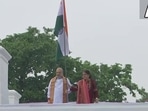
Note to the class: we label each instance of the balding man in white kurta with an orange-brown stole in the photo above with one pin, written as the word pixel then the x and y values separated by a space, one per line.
pixel 56 86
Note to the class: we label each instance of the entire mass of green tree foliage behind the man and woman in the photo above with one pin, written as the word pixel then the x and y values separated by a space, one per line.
pixel 33 65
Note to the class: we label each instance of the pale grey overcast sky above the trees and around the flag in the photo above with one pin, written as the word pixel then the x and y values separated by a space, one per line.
pixel 100 31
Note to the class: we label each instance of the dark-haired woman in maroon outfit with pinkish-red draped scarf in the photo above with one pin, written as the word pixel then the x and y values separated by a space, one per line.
pixel 86 89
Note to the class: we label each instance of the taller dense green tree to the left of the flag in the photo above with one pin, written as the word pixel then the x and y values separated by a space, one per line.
pixel 32 52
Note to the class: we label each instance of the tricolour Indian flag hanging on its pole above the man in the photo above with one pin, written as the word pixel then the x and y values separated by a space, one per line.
pixel 61 31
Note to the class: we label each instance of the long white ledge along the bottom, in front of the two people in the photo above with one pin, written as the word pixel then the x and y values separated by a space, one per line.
pixel 76 107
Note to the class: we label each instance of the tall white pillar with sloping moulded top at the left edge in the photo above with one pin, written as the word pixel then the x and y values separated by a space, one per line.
pixel 4 59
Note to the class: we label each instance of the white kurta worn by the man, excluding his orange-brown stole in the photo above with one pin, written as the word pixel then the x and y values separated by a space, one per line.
pixel 58 91
